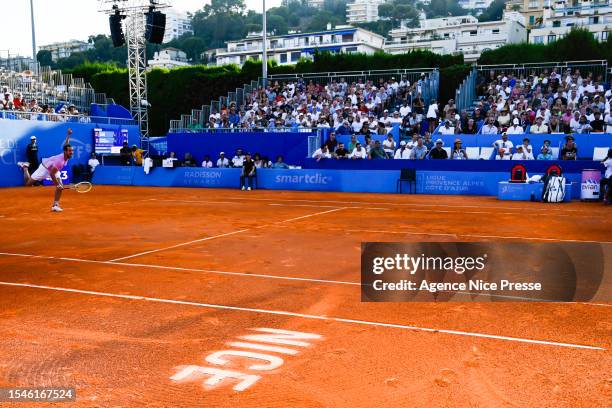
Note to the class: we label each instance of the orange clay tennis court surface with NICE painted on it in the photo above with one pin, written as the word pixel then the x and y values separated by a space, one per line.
pixel 134 296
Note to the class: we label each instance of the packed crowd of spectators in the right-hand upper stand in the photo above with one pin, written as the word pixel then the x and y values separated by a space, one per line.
pixel 549 102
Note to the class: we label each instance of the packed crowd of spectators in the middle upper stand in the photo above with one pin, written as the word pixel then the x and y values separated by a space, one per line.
pixel 347 107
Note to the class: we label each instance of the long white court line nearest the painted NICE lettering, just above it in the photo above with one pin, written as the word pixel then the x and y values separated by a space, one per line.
pixel 304 316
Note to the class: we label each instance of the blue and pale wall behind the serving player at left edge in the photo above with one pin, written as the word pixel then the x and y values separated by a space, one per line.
pixel 15 136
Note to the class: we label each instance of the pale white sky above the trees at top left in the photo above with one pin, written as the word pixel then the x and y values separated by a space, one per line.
pixel 62 20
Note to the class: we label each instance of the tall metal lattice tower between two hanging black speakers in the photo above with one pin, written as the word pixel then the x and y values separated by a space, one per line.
pixel 134 29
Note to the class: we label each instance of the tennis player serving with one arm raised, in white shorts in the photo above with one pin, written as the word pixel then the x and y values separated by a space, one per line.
pixel 50 167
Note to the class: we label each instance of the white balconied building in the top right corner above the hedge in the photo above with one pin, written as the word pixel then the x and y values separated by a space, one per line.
pixel 561 16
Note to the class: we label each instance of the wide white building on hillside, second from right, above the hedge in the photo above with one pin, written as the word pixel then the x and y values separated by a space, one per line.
pixel 453 35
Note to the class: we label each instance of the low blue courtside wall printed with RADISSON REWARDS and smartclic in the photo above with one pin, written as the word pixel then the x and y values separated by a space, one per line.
pixel 469 180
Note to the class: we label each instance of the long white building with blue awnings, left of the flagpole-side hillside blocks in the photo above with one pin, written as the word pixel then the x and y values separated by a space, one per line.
pixel 288 49
